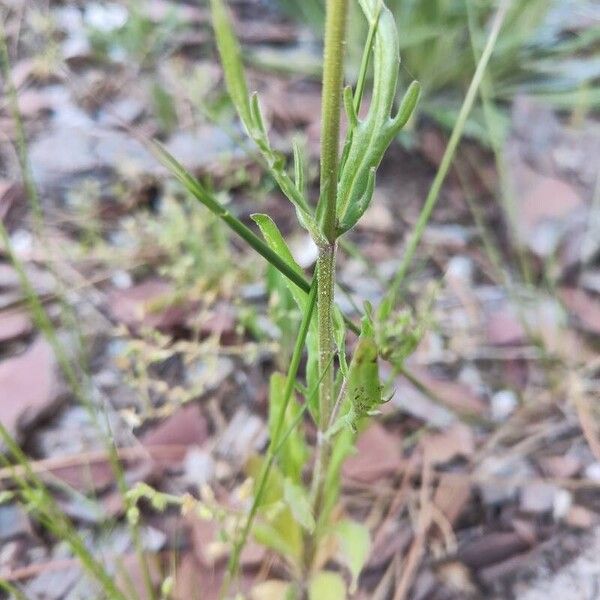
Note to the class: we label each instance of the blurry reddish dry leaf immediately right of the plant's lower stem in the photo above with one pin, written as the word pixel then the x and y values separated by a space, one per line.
pixel 378 455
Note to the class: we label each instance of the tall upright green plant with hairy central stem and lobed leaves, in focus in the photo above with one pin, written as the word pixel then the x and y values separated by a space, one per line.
pixel 293 514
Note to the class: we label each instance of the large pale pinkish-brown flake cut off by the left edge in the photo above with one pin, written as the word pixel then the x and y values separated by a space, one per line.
pixel 30 387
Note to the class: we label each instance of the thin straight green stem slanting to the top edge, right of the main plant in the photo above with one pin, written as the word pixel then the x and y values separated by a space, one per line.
pixel 455 137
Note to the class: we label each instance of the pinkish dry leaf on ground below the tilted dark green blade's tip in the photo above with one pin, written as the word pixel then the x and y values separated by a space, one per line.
pixel 149 304
